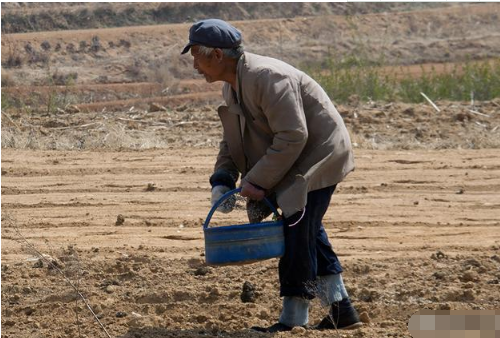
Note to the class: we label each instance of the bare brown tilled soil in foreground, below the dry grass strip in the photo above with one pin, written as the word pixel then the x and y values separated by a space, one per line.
pixel 388 221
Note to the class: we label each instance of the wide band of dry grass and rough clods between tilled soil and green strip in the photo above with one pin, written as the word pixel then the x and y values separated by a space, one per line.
pixel 372 125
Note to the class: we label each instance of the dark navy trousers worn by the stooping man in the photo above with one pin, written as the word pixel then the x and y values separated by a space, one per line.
pixel 308 253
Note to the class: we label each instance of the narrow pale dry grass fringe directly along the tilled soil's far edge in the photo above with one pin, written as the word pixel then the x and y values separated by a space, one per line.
pixel 114 136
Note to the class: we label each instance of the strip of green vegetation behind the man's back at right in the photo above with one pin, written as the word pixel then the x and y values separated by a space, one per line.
pixel 343 77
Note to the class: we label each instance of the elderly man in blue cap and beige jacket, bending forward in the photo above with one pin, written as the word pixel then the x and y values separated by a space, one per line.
pixel 286 139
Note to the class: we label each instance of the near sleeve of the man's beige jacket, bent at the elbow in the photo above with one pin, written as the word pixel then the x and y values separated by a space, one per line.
pixel 281 102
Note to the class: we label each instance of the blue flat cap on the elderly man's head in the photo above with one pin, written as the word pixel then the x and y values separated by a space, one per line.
pixel 213 33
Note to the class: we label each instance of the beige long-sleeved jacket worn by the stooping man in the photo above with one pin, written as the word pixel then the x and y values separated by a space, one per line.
pixel 282 132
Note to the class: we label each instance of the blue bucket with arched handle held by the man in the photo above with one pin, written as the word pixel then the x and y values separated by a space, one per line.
pixel 245 243
